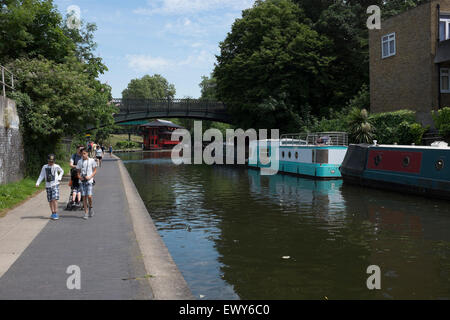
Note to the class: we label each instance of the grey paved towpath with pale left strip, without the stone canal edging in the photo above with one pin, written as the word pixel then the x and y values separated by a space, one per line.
pixel 103 247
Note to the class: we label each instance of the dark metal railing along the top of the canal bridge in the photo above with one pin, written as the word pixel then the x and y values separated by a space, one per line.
pixel 184 106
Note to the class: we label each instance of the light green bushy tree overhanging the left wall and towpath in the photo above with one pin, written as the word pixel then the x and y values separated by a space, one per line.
pixel 56 100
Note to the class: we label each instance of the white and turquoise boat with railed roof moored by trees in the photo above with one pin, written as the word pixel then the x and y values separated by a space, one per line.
pixel 312 155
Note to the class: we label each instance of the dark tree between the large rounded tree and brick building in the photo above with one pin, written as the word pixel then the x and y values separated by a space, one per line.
pixel 343 23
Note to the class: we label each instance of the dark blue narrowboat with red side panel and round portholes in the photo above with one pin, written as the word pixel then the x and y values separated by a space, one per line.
pixel 423 170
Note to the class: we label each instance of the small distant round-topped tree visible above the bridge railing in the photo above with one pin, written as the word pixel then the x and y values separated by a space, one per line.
pixel 149 87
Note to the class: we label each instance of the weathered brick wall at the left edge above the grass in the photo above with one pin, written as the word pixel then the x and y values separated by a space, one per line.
pixel 12 165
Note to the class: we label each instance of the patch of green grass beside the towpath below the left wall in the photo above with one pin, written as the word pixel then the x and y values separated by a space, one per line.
pixel 12 194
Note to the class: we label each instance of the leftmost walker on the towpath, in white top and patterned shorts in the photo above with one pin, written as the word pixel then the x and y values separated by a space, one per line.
pixel 52 173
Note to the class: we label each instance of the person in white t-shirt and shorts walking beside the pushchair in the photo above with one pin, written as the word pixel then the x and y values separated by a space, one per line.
pixel 87 169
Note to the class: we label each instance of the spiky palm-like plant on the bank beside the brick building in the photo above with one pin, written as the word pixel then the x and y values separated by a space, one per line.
pixel 360 128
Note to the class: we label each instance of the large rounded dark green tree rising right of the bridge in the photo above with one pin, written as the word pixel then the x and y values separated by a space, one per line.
pixel 272 65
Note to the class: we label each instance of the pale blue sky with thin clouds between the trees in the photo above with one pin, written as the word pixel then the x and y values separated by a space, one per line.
pixel 175 38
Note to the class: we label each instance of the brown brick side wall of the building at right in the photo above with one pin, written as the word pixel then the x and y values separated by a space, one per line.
pixel 404 81
